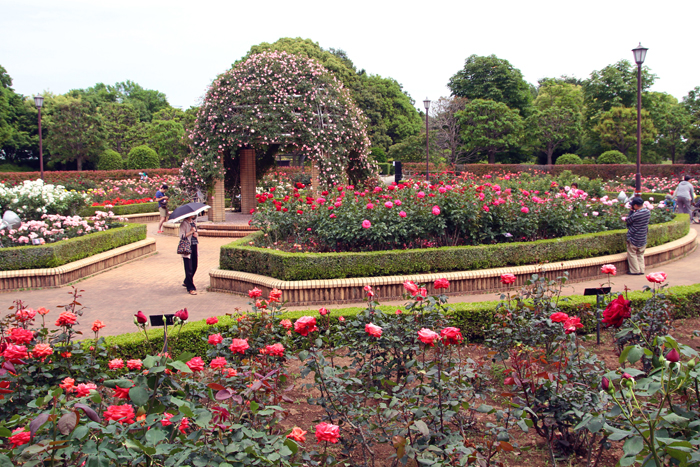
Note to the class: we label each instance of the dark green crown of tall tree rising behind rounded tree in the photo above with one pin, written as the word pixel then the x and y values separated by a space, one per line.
pixel 492 78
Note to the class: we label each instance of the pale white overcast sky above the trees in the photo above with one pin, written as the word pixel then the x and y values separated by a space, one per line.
pixel 178 47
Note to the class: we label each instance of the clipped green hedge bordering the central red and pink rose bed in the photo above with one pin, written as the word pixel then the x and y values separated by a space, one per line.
pixel 240 256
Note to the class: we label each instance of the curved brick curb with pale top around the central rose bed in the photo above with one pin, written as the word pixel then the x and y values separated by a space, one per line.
pixel 334 291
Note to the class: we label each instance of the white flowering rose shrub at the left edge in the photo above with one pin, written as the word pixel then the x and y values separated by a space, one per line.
pixel 32 199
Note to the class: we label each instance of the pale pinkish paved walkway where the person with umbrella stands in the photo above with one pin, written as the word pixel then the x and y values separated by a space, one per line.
pixel 153 285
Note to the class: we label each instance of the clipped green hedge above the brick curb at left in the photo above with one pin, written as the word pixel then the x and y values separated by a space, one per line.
pixel 52 255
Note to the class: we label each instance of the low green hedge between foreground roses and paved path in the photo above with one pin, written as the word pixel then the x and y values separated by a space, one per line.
pixel 472 318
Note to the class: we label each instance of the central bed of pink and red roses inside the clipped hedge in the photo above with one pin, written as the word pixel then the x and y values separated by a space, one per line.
pixel 461 211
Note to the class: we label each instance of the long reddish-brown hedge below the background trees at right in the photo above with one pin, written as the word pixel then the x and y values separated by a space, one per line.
pixel 604 171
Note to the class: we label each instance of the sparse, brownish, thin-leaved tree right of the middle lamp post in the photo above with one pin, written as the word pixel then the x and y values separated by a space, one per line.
pixel 446 124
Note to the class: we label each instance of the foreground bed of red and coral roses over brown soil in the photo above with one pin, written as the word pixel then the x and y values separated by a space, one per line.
pixel 383 386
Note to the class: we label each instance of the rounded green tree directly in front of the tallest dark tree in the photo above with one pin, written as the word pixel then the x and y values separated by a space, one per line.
pixel 489 127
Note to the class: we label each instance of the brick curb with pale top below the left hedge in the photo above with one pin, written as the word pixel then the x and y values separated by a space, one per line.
pixel 63 275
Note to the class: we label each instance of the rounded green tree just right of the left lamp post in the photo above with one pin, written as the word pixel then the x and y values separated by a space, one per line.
pixel 74 131
